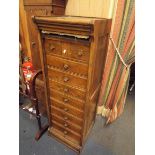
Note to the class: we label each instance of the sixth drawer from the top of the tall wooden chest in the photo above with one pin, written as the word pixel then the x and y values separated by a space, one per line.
pixel 66 108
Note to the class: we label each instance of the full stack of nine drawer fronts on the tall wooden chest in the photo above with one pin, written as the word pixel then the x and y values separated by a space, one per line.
pixel 67 71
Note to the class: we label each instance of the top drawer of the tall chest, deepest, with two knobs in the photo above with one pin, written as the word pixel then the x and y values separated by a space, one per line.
pixel 76 51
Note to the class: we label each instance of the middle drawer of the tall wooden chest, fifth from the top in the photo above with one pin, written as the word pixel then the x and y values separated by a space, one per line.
pixel 67 100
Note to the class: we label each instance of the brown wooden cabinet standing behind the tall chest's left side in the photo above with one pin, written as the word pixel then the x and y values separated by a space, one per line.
pixel 40 8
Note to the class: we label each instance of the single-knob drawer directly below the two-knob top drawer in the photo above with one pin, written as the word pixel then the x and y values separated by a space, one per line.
pixel 77 68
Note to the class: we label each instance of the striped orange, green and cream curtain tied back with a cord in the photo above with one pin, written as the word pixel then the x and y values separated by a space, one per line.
pixel 116 75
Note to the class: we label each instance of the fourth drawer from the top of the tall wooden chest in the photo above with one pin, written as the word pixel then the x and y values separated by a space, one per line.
pixel 67 90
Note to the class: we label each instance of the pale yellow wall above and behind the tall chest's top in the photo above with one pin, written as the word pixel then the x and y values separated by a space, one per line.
pixel 90 8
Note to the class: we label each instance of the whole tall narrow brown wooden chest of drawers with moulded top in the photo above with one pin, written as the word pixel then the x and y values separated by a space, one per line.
pixel 73 51
